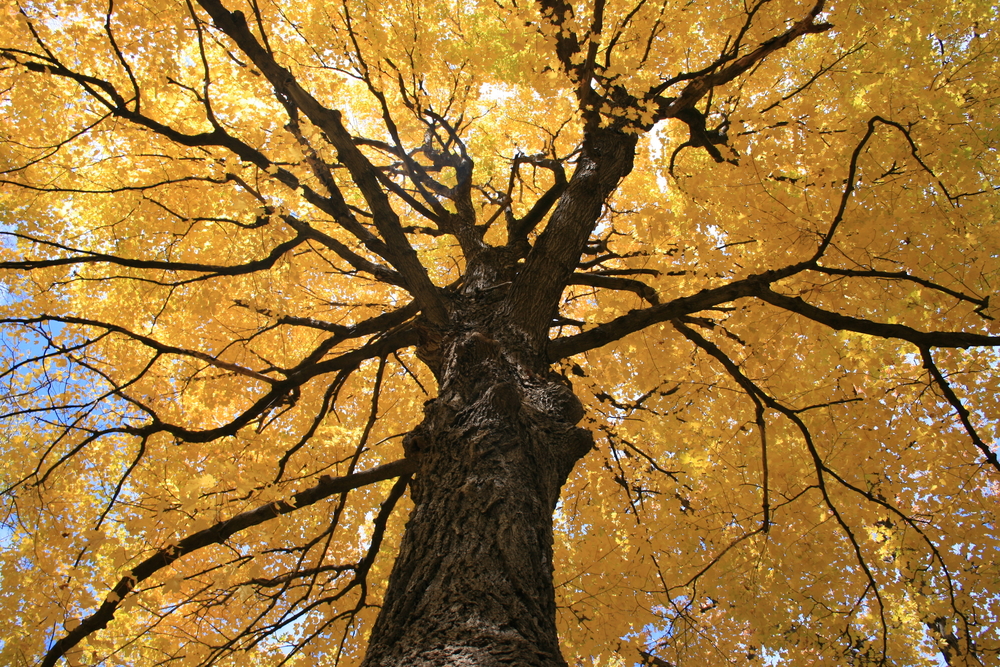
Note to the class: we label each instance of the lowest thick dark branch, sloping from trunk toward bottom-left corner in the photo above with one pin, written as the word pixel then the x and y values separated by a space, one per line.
pixel 217 534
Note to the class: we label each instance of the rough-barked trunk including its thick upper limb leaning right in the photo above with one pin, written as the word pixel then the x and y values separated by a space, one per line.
pixel 472 584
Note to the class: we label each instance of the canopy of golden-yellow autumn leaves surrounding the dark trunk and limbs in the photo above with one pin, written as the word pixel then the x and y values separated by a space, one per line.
pixel 662 543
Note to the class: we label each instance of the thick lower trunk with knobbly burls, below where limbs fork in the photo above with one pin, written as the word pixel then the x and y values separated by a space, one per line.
pixel 472 584
